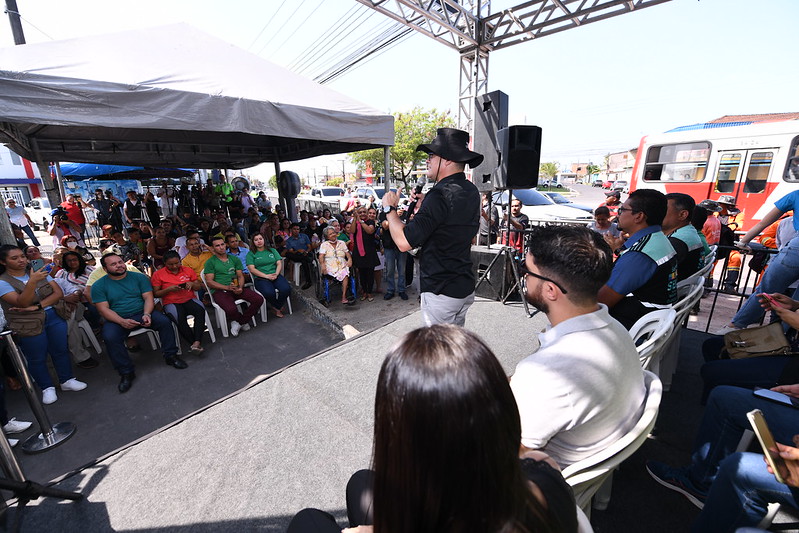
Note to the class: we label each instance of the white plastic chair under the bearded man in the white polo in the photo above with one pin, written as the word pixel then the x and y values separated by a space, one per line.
pixel 594 475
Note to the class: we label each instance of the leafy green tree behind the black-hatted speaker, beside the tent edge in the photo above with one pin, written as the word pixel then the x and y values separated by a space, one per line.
pixel 418 126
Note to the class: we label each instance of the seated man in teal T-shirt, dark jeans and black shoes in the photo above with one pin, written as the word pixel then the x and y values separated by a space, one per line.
pixel 125 300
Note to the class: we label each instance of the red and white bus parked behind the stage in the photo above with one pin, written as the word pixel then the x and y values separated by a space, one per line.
pixel 757 163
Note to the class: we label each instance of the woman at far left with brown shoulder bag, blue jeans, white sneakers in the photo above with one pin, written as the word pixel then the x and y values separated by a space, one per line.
pixel 27 298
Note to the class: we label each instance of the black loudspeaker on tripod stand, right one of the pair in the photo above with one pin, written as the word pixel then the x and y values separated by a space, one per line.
pixel 520 148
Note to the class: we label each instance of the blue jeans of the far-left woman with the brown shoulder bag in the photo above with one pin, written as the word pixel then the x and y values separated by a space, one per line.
pixel 52 340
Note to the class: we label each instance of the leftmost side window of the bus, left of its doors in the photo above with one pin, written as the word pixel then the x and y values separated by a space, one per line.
pixel 677 162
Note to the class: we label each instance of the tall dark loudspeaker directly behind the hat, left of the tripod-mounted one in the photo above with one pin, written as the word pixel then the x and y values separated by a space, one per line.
pixel 490 115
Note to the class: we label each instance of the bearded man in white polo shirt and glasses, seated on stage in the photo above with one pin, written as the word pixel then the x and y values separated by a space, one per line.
pixel 583 389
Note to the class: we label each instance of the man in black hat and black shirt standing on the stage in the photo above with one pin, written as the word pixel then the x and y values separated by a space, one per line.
pixel 444 227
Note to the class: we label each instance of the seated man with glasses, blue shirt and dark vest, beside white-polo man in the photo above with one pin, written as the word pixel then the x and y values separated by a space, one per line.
pixel 644 277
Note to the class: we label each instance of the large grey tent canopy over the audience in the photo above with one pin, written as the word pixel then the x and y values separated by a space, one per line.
pixel 172 96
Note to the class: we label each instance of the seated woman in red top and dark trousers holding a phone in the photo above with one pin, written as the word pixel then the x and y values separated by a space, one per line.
pixel 176 284
